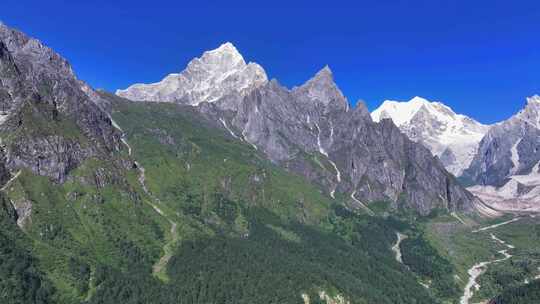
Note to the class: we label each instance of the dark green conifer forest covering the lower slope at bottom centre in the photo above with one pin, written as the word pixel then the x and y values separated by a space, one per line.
pixel 267 268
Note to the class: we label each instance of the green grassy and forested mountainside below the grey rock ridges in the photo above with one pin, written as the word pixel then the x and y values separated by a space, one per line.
pixel 247 231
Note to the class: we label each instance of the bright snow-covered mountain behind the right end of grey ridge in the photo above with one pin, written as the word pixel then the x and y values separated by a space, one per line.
pixel 452 137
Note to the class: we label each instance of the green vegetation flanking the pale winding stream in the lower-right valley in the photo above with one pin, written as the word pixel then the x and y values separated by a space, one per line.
pixel 463 248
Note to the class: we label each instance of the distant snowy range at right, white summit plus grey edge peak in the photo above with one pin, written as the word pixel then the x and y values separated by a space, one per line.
pixel 498 162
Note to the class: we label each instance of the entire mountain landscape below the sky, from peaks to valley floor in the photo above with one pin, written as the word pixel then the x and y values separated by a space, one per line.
pixel 218 185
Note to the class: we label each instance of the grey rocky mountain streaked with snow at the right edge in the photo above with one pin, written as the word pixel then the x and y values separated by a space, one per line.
pixel 506 167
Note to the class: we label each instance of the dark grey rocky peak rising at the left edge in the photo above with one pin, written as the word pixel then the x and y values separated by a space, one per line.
pixel 53 123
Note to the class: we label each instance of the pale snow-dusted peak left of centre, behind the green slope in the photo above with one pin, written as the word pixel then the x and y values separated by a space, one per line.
pixel 215 75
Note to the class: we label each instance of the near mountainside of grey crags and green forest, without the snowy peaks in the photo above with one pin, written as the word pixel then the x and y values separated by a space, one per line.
pixel 104 200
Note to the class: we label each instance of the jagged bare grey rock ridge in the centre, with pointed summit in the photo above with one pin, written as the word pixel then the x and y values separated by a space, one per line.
pixel 312 131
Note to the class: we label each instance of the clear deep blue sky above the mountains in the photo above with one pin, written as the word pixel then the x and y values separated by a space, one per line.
pixel 480 57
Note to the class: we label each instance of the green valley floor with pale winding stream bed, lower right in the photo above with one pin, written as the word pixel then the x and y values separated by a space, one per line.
pixel 500 255
